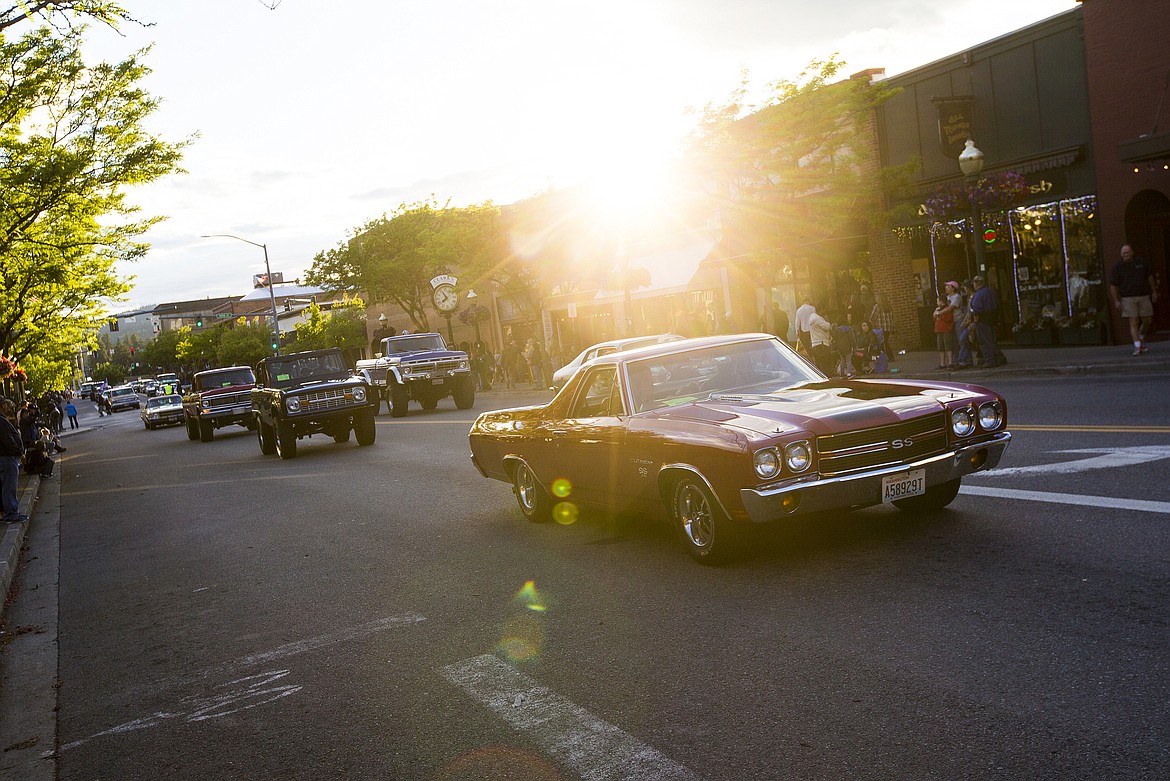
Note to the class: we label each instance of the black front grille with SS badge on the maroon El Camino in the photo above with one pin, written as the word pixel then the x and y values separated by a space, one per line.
pixel 841 454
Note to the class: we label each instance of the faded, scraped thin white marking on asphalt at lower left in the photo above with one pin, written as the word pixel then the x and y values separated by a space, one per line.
pixel 256 692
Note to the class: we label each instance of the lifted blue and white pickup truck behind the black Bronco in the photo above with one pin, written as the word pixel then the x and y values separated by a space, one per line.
pixel 419 368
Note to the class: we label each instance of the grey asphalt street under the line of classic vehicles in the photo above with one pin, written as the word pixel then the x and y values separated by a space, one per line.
pixel 384 613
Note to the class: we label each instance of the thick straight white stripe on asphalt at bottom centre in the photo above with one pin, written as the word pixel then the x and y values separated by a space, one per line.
pixel 594 749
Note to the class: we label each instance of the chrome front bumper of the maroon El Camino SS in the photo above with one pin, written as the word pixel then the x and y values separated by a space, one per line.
pixel 864 489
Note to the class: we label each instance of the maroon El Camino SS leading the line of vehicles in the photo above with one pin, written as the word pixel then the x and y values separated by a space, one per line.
pixel 719 434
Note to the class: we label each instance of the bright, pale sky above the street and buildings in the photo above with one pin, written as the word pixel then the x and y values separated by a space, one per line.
pixel 309 120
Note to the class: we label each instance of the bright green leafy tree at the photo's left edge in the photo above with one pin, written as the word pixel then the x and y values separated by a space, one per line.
pixel 72 143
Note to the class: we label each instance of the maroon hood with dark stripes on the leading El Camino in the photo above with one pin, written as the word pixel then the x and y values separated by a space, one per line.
pixel 823 407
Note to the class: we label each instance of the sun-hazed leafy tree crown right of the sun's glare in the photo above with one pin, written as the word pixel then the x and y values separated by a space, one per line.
pixel 802 169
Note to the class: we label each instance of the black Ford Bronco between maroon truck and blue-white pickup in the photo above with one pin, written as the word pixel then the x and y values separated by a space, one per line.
pixel 311 393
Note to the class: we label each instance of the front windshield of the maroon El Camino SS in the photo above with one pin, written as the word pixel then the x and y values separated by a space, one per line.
pixel 754 368
